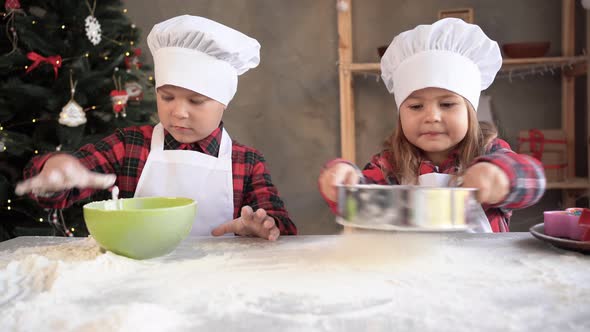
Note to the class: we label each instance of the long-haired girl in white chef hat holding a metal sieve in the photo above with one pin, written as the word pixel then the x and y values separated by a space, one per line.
pixel 436 73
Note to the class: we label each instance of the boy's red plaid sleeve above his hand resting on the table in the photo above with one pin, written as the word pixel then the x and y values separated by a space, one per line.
pixel 259 192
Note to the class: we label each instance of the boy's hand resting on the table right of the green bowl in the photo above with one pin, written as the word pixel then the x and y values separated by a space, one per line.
pixel 250 223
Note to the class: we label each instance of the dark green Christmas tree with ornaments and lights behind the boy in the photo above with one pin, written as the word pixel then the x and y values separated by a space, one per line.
pixel 70 73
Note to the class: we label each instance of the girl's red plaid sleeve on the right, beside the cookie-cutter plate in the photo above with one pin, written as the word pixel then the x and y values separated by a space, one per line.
pixel 526 174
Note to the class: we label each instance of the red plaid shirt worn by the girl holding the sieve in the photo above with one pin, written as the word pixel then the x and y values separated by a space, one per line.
pixel 527 179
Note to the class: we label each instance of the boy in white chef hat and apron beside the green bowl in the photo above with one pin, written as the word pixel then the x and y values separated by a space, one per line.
pixel 189 153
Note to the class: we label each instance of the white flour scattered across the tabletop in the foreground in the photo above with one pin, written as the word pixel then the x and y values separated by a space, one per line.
pixel 349 282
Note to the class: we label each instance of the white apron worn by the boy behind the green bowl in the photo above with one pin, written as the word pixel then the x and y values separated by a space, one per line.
pixel 204 178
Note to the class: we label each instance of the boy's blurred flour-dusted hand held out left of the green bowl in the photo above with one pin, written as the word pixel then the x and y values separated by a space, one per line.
pixel 63 172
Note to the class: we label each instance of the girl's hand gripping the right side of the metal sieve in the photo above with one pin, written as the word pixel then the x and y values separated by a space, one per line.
pixel 492 183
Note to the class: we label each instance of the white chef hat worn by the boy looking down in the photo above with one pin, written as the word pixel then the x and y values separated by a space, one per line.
pixel 201 55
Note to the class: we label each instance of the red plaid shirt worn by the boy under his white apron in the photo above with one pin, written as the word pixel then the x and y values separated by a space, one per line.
pixel 125 153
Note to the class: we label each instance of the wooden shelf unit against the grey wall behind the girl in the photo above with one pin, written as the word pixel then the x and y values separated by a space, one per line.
pixel 573 66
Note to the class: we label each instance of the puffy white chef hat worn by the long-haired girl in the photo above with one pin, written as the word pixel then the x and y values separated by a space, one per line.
pixel 449 54
